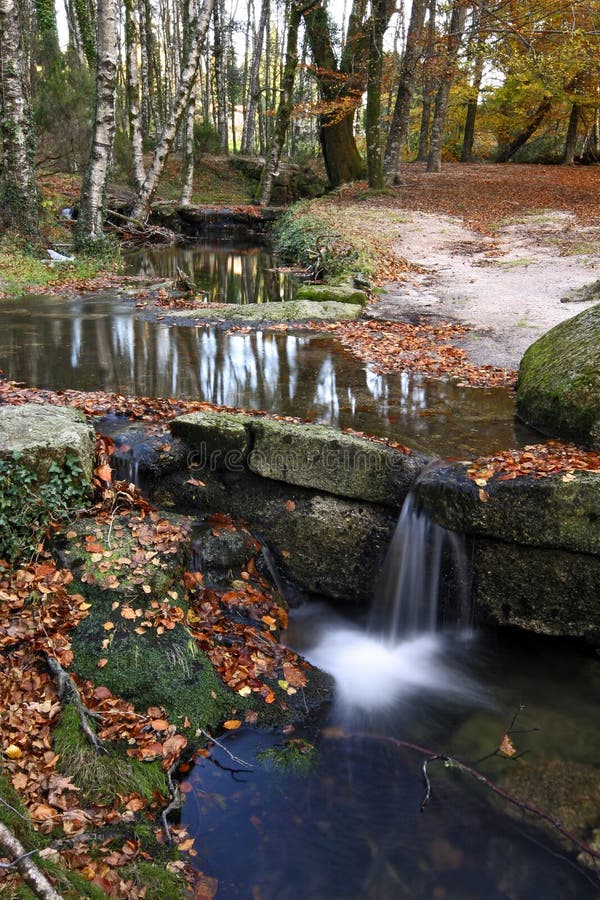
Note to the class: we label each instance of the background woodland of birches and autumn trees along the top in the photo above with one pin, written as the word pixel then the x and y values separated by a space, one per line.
pixel 108 91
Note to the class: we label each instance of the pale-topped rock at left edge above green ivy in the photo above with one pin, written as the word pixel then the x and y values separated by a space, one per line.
pixel 43 434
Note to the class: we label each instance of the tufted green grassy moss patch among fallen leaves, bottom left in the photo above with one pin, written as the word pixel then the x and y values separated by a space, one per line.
pixel 101 776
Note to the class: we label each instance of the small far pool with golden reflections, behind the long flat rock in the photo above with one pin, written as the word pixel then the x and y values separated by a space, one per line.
pixel 226 271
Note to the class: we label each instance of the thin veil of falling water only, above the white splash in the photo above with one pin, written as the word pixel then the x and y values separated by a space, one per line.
pixel 425 585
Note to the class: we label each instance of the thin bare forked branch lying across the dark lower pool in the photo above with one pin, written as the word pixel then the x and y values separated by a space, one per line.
pixel 451 763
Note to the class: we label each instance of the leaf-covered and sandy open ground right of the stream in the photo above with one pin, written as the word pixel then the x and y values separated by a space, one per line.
pixel 496 248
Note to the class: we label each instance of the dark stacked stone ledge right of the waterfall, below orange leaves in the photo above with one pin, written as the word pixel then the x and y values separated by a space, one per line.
pixel 535 546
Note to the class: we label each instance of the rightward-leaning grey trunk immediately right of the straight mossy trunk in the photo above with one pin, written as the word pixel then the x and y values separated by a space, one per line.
pixel 406 87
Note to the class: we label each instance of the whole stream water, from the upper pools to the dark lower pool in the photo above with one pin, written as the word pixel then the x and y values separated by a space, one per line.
pixel 349 827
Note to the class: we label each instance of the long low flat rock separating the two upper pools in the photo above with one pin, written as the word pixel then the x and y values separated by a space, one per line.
pixel 288 311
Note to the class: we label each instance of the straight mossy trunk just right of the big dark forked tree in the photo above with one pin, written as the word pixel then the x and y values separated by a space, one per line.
pixel 373 112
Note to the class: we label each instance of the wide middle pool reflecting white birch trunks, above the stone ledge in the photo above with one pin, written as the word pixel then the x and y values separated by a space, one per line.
pixel 100 342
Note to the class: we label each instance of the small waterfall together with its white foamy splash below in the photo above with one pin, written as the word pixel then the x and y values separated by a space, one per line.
pixel 414 643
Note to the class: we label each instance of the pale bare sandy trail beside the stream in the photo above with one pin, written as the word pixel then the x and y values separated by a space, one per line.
pixel 507 288
